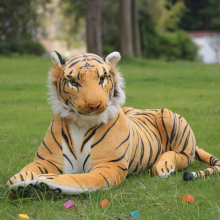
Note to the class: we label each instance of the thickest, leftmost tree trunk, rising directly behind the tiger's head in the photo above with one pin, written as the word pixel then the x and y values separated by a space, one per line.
pixel 93 27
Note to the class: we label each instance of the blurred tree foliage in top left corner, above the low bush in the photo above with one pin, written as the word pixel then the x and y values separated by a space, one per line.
pixel 18 17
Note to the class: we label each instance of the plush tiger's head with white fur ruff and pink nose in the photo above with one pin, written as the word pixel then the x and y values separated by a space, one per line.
pixel 86 88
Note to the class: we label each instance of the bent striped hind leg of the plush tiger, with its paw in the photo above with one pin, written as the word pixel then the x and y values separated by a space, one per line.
pixel 178 143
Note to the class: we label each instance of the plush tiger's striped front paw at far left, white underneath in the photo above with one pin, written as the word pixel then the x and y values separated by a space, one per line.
pixel 22 180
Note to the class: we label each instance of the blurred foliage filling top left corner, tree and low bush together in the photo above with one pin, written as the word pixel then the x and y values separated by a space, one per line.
pixel 19 21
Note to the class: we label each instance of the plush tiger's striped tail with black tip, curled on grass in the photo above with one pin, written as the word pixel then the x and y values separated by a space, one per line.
pixel 207 158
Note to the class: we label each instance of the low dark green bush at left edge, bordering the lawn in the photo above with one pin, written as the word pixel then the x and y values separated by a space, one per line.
pixel 21 45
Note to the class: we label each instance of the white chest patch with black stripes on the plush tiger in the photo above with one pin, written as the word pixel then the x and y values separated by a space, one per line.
pixel 80 162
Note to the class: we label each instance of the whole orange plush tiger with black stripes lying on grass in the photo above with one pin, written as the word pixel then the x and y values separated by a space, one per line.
pixel 92 143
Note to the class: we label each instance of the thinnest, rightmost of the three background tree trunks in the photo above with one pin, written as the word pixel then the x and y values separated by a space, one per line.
pixel 136 30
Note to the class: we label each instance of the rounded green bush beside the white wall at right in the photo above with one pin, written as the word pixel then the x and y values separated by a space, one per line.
pixel 168 46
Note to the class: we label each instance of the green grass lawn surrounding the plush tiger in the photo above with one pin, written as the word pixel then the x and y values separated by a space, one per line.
pixel 190 89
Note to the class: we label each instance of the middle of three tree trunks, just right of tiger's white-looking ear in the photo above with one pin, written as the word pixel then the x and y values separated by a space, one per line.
pixel 126 28
